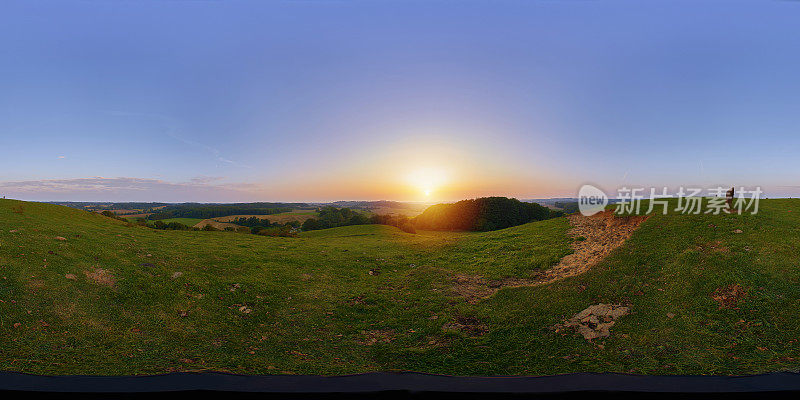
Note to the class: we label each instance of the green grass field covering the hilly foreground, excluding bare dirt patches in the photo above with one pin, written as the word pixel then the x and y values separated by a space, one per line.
pixel 117 299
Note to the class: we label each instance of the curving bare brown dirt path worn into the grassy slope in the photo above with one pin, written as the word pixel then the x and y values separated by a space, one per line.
pixel 601 233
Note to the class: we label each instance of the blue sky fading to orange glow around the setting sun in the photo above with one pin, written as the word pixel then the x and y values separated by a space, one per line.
pixel 225 101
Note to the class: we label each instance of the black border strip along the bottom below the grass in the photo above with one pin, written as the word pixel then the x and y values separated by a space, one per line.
pixel 406 381
